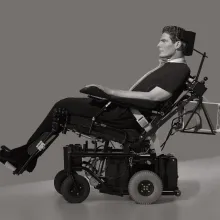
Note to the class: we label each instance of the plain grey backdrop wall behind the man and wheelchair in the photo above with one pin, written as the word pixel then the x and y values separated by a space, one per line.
pixel 52 49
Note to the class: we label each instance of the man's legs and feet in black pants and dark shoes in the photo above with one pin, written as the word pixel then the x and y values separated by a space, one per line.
pixel 115 116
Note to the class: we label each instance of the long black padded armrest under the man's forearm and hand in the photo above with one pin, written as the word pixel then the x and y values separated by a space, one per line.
pixel 143 104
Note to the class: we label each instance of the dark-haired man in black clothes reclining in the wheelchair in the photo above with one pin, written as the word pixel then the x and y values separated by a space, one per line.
pixel 165 81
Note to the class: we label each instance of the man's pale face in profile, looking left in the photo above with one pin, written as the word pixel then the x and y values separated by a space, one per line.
pixel 166 47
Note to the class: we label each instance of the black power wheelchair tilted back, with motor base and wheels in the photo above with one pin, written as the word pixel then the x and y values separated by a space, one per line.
pixel 135 168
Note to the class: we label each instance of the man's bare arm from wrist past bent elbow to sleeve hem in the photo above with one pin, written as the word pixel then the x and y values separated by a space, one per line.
pixel 156 94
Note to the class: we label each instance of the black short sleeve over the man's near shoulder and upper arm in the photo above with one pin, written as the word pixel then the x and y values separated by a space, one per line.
pixel 174 78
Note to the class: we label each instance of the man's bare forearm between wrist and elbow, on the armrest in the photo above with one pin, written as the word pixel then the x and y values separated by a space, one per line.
pixel 132 94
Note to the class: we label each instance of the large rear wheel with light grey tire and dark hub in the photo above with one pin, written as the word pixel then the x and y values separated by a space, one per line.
pixel 145 187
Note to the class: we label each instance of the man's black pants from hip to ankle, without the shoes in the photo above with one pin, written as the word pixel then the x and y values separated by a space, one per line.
pixel 115 116
